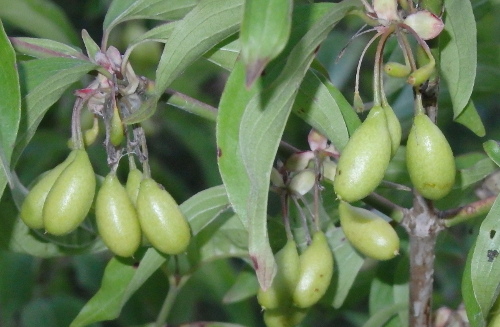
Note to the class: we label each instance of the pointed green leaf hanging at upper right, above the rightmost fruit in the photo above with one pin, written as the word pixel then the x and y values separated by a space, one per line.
pixel 459 52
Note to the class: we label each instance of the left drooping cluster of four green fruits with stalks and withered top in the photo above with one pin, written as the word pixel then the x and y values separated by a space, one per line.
pixel 62 198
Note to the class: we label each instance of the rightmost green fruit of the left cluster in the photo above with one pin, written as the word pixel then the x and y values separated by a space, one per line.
pixel 161 220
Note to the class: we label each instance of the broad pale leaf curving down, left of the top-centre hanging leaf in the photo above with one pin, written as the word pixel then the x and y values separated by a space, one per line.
pixel 210 22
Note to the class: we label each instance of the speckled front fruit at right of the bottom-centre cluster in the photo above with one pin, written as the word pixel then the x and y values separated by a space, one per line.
pixel 316 270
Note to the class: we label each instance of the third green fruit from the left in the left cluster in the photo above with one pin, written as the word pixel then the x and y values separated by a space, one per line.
pixel 116 218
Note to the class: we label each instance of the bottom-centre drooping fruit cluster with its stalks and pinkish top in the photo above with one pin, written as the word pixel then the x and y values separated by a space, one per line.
pixel 301 279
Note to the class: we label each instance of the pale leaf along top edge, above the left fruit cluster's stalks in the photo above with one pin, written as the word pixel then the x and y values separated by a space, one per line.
pixel 122 10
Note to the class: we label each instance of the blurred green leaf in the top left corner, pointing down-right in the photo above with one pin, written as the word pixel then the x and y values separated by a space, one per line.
pixel 41 18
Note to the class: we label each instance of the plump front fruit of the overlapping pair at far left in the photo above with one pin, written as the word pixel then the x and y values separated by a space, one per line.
pixel 71 196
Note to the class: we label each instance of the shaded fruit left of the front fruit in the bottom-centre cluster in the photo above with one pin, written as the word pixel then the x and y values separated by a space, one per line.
pixel 279 294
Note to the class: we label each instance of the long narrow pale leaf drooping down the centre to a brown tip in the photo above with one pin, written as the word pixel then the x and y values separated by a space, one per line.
pixel 261 128
